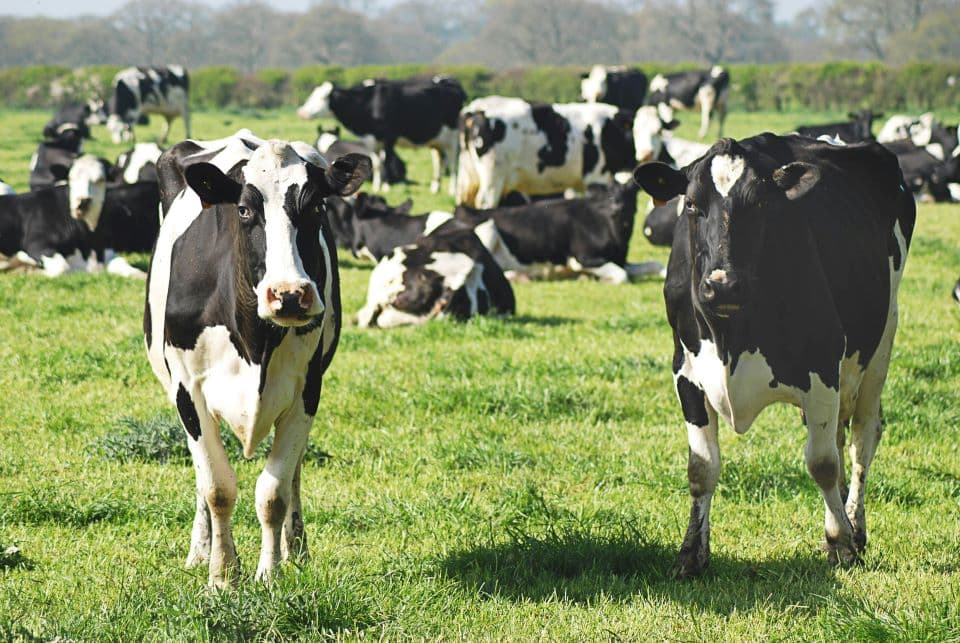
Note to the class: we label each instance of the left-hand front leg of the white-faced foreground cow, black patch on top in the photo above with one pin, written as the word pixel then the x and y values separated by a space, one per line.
pixel 217 485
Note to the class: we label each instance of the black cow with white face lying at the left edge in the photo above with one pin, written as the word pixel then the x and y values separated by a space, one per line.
pixel 60 229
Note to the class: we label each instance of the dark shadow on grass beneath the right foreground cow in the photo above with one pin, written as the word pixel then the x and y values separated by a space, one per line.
pixel 584 569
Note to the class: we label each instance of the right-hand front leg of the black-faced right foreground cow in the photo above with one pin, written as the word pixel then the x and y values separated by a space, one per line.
pixel 821 410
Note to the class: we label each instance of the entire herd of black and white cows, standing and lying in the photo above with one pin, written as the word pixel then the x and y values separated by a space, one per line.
pixel 787 254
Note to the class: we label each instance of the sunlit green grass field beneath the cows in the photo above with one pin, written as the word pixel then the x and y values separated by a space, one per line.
pixel 512 479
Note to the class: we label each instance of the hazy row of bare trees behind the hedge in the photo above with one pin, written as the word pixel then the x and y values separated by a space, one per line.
pixel 500 34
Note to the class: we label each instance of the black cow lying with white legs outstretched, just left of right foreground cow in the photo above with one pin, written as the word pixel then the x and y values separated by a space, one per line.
pixel 588 235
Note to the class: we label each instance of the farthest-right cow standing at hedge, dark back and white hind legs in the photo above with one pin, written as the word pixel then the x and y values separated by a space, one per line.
pixel 703 88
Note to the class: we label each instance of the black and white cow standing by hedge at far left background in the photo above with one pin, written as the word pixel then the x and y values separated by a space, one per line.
pixel 138 91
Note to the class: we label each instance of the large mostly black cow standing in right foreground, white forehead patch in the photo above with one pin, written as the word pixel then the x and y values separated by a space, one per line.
pixel 782 287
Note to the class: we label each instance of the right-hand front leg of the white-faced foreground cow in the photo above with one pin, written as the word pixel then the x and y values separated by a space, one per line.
pixel 275 486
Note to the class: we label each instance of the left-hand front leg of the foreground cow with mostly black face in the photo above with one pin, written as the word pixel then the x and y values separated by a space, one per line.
pixel 703 471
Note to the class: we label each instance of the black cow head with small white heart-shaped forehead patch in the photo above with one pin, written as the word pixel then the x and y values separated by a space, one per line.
pixel 728 198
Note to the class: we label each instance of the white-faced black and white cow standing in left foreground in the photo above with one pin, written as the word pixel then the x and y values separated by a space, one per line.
pixel 241 320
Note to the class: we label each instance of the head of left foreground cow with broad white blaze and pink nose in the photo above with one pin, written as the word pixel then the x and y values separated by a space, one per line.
pixel 277 201
